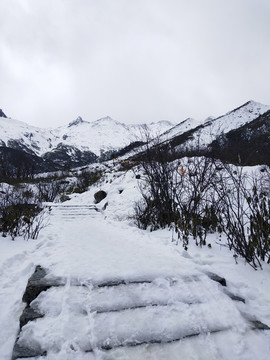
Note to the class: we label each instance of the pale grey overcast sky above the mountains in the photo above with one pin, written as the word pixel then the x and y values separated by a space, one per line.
pixel 134 60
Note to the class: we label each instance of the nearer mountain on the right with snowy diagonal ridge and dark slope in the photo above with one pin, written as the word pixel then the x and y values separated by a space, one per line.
pixel 241 133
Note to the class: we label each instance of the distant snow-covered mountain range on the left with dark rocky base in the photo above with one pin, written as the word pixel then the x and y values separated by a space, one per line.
pixel 76 144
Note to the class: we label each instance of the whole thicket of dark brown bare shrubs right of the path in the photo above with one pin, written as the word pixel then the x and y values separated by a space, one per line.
pixel 209 196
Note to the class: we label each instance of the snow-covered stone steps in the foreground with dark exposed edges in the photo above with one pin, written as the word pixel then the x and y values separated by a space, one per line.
pixel 87 317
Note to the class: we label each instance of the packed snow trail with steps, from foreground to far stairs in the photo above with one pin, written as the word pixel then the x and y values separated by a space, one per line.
pixel 111 292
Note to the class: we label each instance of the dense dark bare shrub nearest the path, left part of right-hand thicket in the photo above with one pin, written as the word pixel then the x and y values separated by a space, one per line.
pixel 178 195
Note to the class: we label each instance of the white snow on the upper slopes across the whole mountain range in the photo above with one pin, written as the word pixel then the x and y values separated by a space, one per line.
pixel 108 134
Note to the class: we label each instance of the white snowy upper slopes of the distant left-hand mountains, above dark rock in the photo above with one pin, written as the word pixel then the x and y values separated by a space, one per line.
pixel 96 136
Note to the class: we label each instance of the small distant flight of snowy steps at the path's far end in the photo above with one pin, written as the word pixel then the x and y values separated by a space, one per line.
pixel 72 212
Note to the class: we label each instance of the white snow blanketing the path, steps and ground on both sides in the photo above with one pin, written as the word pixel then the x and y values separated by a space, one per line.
pixel 164 296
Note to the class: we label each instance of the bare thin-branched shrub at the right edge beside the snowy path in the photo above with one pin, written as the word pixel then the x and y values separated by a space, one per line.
pixel 245 215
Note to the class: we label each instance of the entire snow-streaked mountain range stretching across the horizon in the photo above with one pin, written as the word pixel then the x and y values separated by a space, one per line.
pixel 242 132
